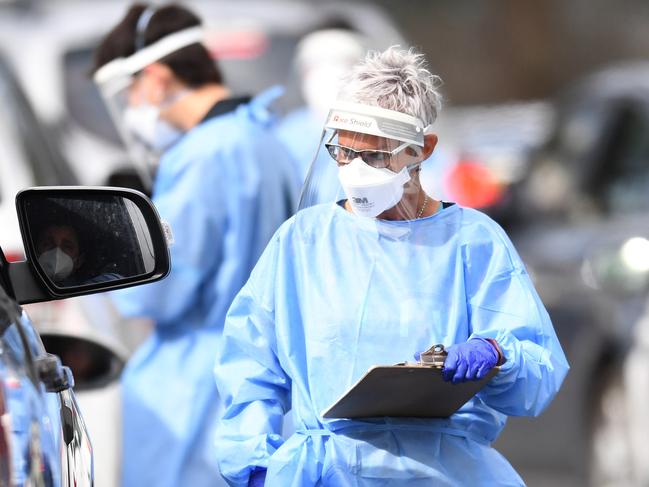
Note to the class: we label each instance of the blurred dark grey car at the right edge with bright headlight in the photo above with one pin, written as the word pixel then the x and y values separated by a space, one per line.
pixel 583 231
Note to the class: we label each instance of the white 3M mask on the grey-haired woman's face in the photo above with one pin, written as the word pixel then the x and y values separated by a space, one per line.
pixel 371 191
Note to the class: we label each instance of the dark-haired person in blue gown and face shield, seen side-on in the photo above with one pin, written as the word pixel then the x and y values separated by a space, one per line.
pixel 224 183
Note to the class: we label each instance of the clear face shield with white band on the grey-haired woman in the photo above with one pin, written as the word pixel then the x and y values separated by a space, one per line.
pixel 368 161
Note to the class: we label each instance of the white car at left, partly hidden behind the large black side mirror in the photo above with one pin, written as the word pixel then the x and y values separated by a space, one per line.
pixel 89 325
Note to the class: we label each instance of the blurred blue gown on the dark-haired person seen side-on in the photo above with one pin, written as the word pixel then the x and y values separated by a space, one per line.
pixel 225 188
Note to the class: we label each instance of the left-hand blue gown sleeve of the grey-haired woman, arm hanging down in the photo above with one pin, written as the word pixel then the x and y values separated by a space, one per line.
pixel 251 382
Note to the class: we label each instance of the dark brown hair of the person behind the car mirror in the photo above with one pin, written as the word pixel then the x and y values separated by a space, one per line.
pixel 192 65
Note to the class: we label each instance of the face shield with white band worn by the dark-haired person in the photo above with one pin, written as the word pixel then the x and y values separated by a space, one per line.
pixel 145 134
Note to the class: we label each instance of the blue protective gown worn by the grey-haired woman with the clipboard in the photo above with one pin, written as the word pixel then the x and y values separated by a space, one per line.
pixel 333 295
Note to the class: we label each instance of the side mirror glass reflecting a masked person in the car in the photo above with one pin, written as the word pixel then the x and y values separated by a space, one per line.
pixel 88 240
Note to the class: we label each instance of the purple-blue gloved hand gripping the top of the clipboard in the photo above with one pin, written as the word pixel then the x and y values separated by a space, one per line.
pixel 471 360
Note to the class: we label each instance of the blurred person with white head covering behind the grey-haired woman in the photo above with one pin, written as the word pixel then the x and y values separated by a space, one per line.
pixel 322 58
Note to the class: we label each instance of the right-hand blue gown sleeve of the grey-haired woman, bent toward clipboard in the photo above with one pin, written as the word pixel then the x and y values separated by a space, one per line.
pixel 503 305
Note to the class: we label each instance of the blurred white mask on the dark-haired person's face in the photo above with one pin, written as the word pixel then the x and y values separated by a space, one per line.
pixel 144 123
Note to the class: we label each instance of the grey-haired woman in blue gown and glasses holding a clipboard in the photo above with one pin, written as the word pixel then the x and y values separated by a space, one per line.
pixel 380 272
